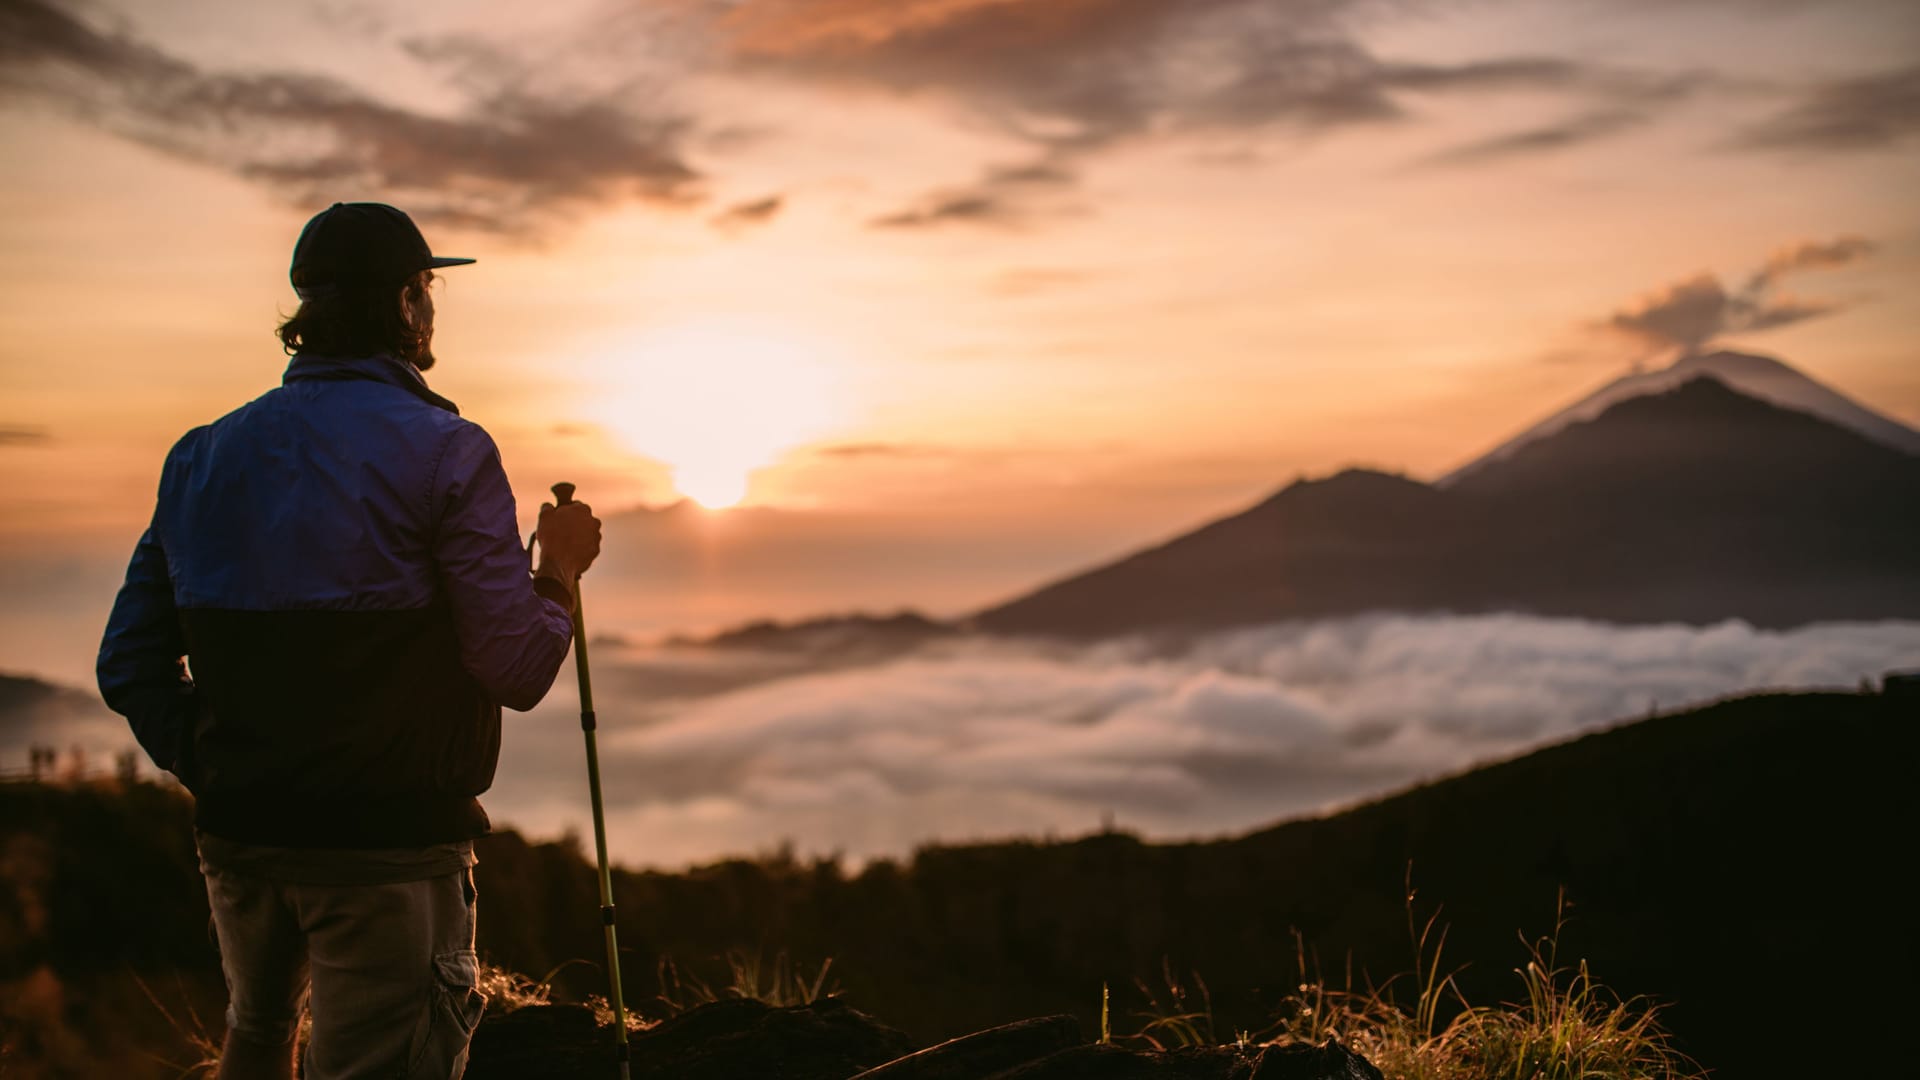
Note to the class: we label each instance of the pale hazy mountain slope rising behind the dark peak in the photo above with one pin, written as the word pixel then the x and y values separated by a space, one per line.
pixel 1754 376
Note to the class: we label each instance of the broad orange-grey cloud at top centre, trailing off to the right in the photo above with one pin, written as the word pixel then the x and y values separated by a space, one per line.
pixel 1082 76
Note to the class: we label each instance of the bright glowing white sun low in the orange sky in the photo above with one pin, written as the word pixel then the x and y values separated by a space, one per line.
pixel 717 401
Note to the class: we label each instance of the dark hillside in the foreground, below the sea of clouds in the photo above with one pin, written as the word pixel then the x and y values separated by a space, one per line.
pixel 1742 862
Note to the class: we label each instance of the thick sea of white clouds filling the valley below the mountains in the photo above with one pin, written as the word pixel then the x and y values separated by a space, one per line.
pixel 719 752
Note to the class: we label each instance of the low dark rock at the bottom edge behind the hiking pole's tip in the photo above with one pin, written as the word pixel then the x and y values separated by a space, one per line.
pixel 725 1041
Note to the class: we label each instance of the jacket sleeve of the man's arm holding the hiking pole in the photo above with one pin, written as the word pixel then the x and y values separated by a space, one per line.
pixel 514 641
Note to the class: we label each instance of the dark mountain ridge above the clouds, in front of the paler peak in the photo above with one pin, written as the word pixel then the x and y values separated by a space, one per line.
pixel 1698 504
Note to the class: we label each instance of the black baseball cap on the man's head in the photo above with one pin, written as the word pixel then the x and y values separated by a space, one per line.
pixel 360 245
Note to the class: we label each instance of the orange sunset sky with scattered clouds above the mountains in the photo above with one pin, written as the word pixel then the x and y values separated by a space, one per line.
pixel 997 287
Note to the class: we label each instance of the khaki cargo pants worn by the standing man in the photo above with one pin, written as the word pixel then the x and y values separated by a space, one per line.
pixel 391 970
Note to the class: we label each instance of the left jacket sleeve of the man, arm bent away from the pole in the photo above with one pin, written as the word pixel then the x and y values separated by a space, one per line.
pixel 141 668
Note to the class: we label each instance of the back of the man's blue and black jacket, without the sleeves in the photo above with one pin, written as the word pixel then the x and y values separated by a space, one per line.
pixel 300 541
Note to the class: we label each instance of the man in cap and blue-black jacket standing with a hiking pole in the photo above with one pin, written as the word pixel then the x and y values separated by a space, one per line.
pixel 316 635
